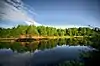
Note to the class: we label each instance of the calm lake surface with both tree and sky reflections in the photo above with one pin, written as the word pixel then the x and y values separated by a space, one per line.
pixel 42 53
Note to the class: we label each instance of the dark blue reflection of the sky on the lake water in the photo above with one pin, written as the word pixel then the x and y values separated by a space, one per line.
pixel 48 56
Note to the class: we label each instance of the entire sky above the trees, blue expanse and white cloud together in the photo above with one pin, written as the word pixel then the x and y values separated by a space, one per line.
pixel 60 13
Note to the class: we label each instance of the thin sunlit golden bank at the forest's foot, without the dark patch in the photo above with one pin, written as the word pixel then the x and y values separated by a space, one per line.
pixel 40 38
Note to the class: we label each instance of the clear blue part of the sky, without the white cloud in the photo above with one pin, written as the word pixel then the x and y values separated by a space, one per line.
pixel 64 12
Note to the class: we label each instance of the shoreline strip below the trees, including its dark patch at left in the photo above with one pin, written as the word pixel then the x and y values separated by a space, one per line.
pixel 37 38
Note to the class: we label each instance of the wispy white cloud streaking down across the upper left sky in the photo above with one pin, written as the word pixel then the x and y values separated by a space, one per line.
pixel 15 11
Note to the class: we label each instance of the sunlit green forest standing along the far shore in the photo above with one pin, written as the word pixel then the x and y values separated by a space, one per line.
pixel 42 31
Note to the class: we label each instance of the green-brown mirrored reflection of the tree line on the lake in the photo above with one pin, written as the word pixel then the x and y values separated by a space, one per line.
pixel 43 44
